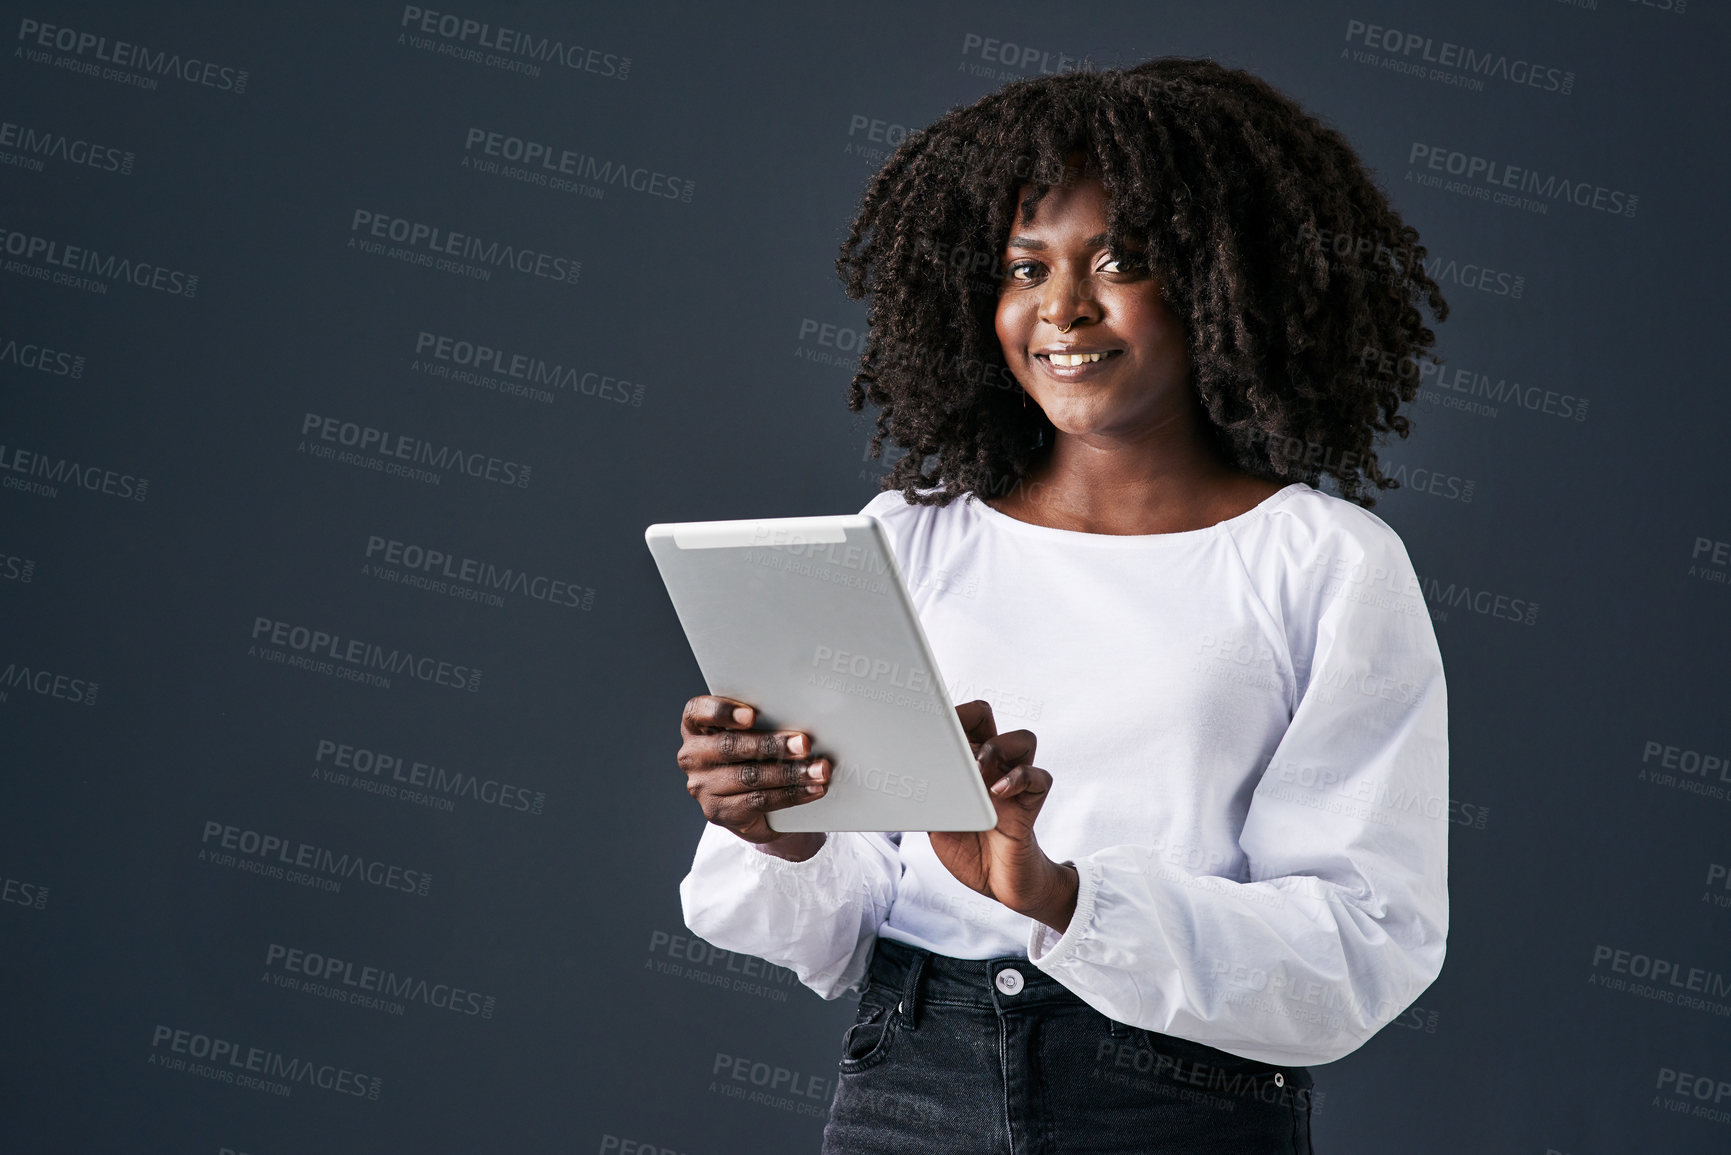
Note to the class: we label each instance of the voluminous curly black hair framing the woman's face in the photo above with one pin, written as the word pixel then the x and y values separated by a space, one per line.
pixel 1296 278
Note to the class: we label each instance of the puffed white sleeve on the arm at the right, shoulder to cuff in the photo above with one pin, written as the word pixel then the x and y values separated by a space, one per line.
pixel 1344 917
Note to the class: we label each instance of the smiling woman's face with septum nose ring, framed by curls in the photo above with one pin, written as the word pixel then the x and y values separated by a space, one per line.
pixel 1059 273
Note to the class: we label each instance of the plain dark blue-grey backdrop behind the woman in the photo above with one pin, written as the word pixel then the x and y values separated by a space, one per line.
pixel 1564 842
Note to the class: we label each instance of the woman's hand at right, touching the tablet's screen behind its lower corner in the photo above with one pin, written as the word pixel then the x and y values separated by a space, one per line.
pixel 1007 863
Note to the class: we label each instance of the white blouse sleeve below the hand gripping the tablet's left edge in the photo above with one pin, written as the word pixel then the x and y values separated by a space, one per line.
pixel 820 919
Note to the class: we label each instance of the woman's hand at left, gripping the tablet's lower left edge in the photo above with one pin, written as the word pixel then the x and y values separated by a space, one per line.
pixel 738 775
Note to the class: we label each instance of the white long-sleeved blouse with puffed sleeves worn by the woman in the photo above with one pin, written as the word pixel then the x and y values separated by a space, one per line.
pixel 1247 733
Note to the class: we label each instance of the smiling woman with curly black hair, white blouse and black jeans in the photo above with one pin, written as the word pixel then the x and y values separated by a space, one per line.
pixel 1131 319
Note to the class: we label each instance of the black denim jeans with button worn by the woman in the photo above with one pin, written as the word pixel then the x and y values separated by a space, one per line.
pixel 994 1057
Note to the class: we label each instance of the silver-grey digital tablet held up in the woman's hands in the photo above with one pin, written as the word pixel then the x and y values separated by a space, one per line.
pixel 811 623
